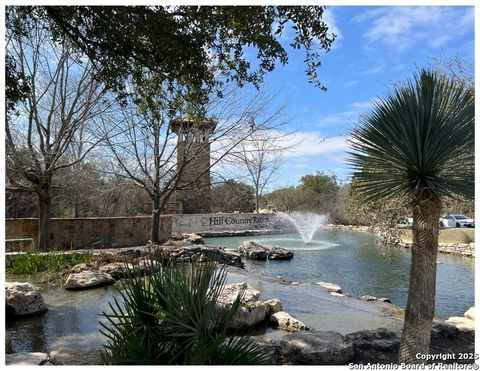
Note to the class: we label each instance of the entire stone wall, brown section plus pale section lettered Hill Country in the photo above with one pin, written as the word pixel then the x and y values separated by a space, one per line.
pixel 134 231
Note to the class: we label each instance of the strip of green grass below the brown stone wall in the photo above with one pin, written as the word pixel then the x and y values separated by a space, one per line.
pixel 45 262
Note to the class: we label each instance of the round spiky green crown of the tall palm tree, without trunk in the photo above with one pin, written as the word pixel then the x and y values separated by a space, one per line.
pixel 421 136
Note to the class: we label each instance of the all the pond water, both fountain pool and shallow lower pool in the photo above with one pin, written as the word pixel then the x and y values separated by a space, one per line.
pixel 350 259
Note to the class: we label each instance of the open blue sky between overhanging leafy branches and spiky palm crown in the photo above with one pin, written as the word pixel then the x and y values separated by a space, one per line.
pixel 375 45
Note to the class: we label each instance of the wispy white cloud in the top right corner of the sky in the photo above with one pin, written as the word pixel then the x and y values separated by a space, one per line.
pixel 401 28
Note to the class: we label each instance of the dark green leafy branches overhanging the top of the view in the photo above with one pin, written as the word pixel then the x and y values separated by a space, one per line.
pixel 180 44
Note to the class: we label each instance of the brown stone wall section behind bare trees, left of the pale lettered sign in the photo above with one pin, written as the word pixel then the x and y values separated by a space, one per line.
pixel 88 232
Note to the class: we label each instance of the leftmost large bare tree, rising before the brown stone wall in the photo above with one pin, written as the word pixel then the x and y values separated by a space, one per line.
pixel 63 98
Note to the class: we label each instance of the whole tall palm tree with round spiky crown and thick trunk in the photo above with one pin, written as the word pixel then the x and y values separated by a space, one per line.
pixel 418 143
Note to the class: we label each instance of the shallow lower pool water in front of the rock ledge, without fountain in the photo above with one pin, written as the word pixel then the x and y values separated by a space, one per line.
pixel 72 320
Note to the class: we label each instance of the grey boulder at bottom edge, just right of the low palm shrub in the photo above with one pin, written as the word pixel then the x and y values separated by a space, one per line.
pixel 315 348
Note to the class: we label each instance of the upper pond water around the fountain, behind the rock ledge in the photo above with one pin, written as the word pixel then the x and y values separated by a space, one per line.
pixel 361 267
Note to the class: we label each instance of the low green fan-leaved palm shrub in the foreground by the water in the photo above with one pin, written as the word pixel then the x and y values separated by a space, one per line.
pixel 172 316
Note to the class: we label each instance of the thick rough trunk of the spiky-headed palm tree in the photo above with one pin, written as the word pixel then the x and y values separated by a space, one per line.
pixel 420 308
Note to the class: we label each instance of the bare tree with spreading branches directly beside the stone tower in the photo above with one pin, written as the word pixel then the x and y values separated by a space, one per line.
pixel 143 146
